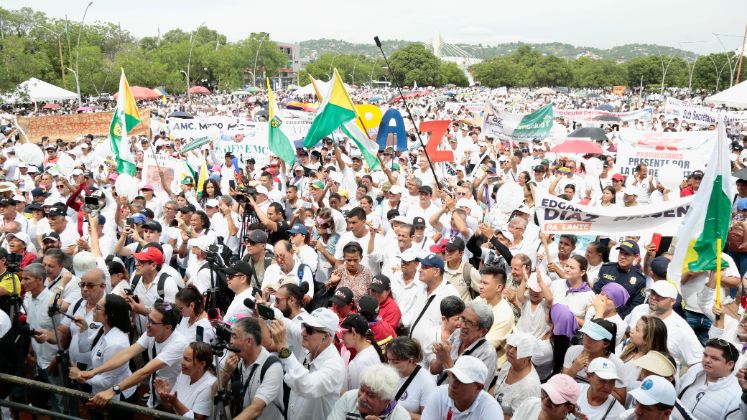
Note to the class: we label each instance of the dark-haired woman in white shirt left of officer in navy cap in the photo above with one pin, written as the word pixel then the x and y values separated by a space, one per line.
pixel 574 291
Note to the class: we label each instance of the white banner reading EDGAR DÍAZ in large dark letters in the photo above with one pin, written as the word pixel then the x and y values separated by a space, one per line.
pixel 559 216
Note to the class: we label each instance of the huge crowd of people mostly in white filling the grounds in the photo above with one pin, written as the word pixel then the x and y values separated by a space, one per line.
pixel 327 290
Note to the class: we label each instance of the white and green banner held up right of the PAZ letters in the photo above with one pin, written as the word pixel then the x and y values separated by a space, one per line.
pixel 535 125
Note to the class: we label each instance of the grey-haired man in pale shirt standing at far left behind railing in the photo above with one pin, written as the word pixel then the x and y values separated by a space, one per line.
pixel 36 303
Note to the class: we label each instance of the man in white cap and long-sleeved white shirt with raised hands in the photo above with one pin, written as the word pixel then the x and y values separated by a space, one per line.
pixel 315 389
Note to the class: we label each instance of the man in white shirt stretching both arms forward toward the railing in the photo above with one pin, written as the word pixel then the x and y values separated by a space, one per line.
pixel 164 347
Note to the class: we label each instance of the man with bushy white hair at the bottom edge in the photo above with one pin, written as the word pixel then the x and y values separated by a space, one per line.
pixel 373 399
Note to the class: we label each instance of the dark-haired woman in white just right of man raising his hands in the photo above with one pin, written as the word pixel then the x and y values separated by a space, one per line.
pixel 358 336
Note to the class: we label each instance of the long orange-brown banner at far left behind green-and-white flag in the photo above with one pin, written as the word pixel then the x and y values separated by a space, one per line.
pixel 72 126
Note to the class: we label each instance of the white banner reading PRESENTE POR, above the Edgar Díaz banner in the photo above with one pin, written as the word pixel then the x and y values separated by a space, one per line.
pixel 689 150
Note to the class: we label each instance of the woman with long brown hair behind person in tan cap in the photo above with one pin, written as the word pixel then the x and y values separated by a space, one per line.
pixel 648 334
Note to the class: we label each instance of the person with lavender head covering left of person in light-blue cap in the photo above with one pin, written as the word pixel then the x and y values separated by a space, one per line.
pixel 551 348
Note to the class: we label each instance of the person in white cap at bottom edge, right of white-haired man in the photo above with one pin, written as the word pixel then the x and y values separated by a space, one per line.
pixel 463 397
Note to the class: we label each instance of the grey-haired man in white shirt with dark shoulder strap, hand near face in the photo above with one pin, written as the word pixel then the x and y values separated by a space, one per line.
pixel 257 385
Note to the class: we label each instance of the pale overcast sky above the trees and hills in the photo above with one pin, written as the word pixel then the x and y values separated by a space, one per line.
pixel 687 24
